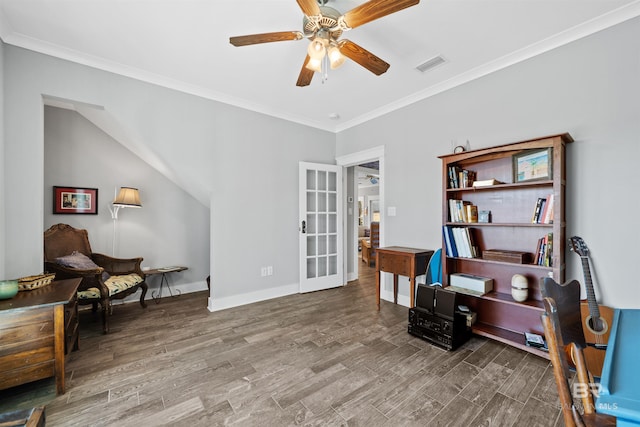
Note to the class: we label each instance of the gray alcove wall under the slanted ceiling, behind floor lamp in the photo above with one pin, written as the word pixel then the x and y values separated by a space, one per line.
pixel 77 153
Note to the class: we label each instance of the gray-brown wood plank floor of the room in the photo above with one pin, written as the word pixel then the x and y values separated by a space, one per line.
pixel 325 358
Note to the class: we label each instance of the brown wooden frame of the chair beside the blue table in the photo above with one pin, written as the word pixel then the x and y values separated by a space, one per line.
pixel 558 352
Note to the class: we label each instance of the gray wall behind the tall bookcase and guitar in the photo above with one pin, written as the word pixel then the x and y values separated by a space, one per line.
pixel 590 88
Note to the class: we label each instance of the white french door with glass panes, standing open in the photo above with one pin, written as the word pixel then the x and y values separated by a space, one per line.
pixel 320 226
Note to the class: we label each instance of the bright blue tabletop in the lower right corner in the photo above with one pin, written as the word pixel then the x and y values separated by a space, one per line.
pixel 620 382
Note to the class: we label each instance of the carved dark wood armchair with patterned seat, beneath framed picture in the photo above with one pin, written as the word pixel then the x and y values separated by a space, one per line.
pixel 125 275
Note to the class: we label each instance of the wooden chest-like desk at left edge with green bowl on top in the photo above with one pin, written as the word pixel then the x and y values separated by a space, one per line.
pixel 32 334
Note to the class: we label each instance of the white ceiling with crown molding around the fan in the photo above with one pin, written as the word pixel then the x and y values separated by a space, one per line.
pixel 184 44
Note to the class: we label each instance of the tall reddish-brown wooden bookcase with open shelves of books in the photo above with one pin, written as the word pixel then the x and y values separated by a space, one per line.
pixel 512 203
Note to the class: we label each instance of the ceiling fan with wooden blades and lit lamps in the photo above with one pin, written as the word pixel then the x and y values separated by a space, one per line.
pixel 324 25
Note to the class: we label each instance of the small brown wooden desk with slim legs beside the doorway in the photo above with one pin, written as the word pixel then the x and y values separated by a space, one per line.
pixel 409 262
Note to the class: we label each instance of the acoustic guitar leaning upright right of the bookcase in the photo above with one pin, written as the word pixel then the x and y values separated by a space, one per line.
pixel 596 320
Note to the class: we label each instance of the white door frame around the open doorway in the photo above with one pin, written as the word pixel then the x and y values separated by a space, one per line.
pixel 346 161
